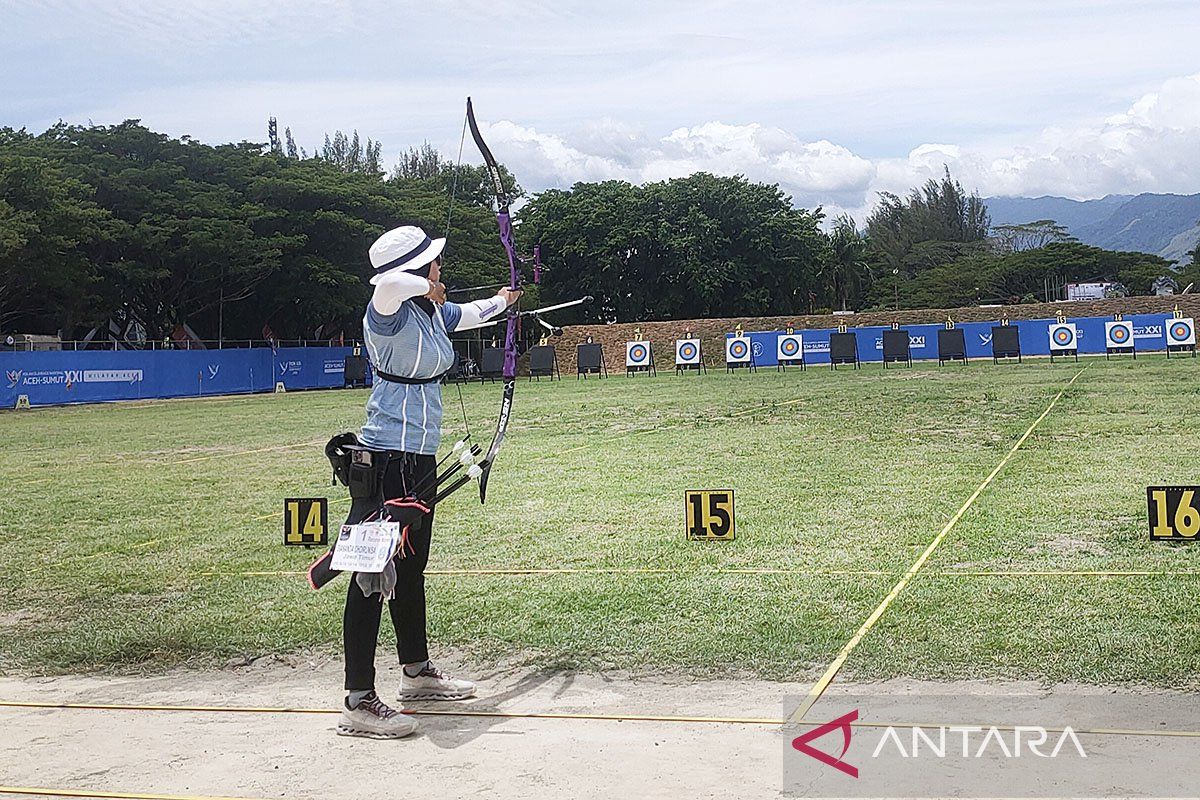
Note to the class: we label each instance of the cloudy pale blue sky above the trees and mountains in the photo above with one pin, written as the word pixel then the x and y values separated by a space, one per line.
pixel 836 101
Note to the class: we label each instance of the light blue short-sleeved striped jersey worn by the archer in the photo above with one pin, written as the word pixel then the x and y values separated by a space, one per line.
pixel 411 345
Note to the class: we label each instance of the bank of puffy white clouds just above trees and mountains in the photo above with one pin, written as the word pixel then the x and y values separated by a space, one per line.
pixel 1154 147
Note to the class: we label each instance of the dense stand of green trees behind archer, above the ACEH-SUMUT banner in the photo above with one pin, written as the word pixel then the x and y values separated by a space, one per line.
pixel 122 224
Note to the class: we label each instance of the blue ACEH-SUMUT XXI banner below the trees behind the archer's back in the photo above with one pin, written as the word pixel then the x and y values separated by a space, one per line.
pixel 56 378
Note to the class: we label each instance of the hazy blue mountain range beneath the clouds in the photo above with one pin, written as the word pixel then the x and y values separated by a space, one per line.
pixel 1165 225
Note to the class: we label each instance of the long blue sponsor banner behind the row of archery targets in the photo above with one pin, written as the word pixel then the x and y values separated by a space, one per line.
pixel 1150 334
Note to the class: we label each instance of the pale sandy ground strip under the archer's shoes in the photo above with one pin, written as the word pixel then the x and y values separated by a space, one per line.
pixel 277 755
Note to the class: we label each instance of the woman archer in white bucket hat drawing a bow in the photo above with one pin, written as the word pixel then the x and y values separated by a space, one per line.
pixel 406 330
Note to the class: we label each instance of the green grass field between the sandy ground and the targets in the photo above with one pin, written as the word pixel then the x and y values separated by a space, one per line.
pixel 129 526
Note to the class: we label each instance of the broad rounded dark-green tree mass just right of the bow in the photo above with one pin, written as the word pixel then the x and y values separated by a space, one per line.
pixel 698 246
